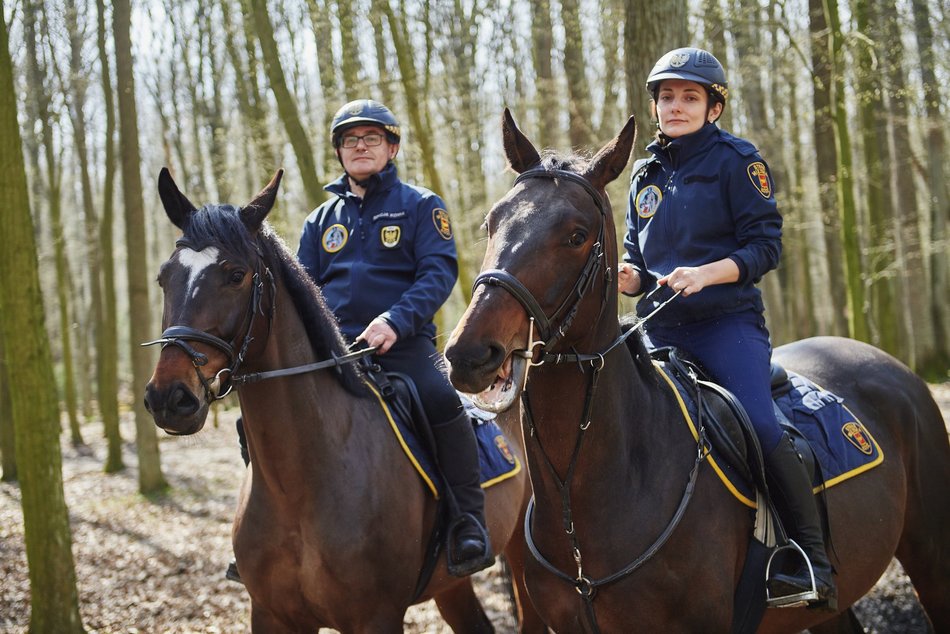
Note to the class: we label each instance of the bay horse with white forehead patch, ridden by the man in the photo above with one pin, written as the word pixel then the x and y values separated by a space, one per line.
pixel 332 523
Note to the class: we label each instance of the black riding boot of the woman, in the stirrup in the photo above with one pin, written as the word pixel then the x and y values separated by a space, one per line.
pixel 789 478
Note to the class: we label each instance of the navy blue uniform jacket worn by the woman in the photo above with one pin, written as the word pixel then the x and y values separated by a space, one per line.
pixel 700 198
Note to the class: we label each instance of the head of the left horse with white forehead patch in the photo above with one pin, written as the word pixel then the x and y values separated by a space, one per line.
pixel 215 284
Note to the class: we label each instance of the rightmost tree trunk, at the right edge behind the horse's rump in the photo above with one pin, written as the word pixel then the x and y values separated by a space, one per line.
pixel 938 187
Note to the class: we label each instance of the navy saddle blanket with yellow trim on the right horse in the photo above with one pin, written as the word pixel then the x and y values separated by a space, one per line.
pixel 842 445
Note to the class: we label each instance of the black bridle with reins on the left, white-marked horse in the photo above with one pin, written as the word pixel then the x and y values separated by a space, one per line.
pixel 226 379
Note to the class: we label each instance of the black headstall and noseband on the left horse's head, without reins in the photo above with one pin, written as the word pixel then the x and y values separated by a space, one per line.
pixel 180 336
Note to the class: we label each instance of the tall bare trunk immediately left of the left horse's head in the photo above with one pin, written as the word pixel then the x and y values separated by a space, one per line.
pixel 140 328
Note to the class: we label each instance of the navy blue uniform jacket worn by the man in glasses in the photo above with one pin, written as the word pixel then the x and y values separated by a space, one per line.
pixel 390 254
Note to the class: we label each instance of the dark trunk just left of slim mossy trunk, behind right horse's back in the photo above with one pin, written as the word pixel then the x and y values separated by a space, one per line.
pixel 833 321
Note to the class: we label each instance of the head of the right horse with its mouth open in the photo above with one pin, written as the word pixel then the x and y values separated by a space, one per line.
pixel 548 273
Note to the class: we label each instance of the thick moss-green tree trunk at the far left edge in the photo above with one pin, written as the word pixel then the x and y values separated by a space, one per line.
pixel 54 601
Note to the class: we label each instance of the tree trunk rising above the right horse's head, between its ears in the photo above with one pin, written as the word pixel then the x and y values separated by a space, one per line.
pixel 575 67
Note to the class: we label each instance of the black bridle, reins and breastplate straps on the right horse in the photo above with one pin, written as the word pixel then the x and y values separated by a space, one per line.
pixel 551 330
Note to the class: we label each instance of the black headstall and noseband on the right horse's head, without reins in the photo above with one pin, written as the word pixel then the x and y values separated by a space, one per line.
pixel 553 328
